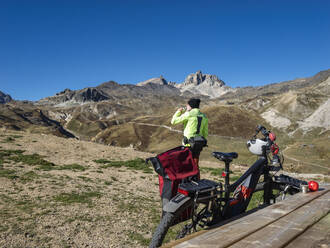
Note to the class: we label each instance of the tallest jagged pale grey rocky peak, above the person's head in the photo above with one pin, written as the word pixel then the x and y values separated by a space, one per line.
pixel 200 78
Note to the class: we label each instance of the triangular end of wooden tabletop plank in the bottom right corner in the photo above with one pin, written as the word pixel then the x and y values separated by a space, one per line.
pixel 316 236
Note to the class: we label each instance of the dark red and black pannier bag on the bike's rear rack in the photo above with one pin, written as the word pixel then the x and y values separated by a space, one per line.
pixel 172 166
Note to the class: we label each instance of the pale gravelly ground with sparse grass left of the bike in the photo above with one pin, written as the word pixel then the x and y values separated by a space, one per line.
pixel 86 207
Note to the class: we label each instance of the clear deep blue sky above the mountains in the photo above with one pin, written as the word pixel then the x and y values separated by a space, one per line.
pixel 46 46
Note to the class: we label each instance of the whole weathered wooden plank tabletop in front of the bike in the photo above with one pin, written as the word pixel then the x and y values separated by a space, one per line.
pixel 300 221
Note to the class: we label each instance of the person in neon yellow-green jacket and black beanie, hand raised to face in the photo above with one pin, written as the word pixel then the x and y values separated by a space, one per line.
pixel 195 126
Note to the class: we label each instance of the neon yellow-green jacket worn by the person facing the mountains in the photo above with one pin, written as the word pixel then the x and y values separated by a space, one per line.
pixel 190 123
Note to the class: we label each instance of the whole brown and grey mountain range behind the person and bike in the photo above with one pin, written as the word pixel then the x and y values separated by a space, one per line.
pixel 139 115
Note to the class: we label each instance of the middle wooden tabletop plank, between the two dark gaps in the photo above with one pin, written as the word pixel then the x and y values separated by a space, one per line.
pixel 283 231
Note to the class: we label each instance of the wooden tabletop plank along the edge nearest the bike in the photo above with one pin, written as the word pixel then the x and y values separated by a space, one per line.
pixel 234 231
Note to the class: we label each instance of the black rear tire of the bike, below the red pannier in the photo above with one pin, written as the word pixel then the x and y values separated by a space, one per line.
pixel 161 230
